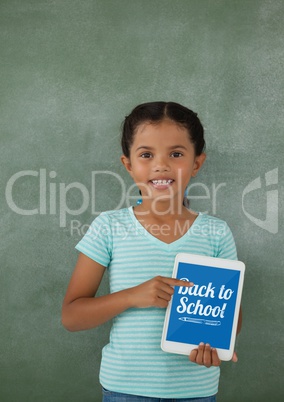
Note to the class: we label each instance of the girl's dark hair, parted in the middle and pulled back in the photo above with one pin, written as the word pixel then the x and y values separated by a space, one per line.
pixel 156 112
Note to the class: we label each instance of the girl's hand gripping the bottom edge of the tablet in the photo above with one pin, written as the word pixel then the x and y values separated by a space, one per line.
pixel 204 355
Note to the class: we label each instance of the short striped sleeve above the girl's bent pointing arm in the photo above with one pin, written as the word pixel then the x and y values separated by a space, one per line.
pixel 97 242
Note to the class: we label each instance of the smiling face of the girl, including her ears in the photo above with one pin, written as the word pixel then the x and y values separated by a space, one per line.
pixel 162 160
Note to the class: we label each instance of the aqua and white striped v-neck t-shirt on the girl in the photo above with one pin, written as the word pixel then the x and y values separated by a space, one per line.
pixel 132 361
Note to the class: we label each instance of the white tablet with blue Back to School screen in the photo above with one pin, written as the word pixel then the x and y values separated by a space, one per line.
pixel 208 311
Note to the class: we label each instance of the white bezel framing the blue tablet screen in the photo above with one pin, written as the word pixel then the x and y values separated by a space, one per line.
pixel 185 348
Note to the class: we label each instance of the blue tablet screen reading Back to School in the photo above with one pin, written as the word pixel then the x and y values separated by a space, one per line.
pixel 205 312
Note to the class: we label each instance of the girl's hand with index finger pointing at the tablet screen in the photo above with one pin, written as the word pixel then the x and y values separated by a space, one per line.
pixel 156 292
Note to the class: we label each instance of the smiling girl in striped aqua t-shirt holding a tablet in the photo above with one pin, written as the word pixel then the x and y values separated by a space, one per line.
pixel 163 147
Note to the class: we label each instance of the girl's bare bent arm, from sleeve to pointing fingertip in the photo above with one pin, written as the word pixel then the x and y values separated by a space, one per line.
pixel 81 310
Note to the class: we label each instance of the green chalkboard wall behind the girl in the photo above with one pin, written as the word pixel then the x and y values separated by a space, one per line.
pixel 70 71
